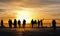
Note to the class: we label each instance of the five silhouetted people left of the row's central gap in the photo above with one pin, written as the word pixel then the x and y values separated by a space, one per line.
pixel 15 23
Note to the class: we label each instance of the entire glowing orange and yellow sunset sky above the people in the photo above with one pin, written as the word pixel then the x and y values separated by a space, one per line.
pixel 29 9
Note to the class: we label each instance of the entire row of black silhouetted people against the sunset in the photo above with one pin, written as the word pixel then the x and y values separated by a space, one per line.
pixel 39 22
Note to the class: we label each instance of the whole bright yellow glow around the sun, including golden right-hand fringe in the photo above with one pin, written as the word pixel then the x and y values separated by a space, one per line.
pixel 28 14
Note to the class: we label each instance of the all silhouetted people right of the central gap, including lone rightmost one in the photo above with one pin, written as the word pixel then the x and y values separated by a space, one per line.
pixel 40 23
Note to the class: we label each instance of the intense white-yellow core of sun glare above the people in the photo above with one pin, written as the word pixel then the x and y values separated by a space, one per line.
pixel 24 14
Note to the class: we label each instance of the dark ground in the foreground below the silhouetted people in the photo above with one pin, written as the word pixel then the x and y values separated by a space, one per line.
pixel 34 32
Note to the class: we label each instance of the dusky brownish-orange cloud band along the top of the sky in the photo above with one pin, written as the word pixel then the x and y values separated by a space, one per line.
pixel 31 3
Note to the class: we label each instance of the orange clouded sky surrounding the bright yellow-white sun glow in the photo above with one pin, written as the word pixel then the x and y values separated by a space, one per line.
pixel 48 7
